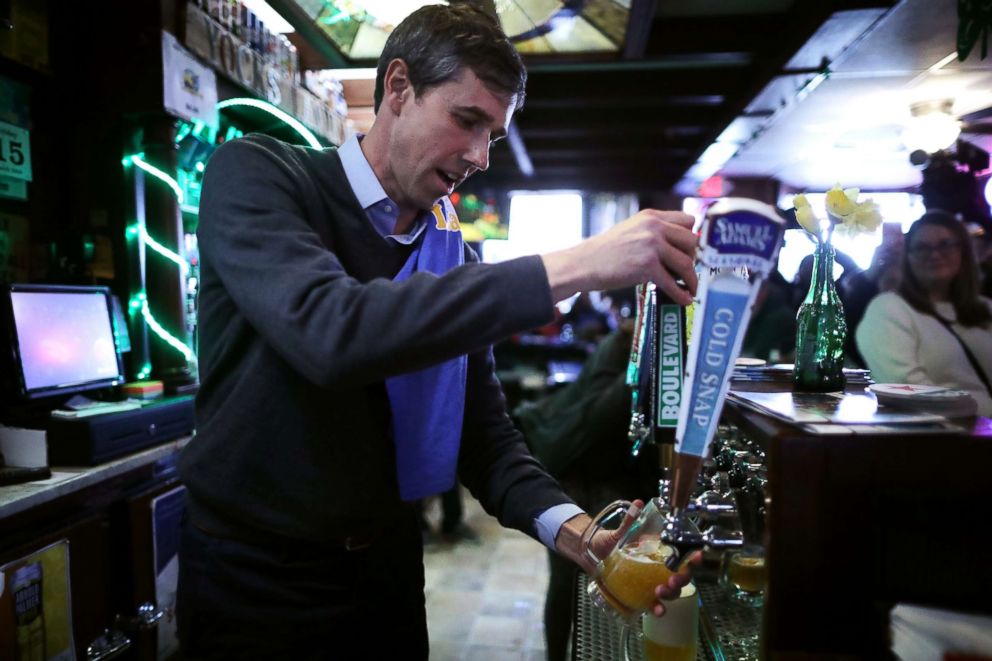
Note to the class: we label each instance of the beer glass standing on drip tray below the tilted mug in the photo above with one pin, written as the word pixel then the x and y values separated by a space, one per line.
pixel 671 637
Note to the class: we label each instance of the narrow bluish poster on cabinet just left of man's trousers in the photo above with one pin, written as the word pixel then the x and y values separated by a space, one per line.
pixel 167 513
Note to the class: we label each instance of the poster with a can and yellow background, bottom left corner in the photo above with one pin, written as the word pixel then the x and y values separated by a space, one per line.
pixel 35 606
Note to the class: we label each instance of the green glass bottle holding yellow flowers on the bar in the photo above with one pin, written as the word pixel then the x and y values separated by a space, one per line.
pixel 821 330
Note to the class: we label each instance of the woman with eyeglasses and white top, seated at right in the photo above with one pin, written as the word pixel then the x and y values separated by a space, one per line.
pixel 936 328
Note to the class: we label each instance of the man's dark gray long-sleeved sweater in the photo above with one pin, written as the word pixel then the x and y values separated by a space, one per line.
pixel 300 322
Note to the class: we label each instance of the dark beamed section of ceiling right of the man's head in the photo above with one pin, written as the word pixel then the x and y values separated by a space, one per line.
pixel 640 120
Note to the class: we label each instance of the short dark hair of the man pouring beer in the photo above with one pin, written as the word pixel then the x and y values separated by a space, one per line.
pixel 438 41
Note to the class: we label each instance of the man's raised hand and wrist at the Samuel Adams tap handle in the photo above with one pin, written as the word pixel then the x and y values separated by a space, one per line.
pixel 655 246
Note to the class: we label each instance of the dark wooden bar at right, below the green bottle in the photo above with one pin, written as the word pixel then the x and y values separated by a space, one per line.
pixel 855 524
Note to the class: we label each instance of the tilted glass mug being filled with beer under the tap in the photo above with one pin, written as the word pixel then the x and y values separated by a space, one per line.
pixel 623 582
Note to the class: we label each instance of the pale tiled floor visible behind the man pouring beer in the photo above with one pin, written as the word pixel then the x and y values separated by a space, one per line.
pixel 485 600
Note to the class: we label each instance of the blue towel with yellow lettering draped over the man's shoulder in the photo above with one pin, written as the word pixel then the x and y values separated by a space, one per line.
pixel 428 405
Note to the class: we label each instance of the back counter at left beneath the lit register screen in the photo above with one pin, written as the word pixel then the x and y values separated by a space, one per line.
pixel 104 518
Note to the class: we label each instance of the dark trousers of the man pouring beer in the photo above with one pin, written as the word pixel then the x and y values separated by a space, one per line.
pixel 291 601
